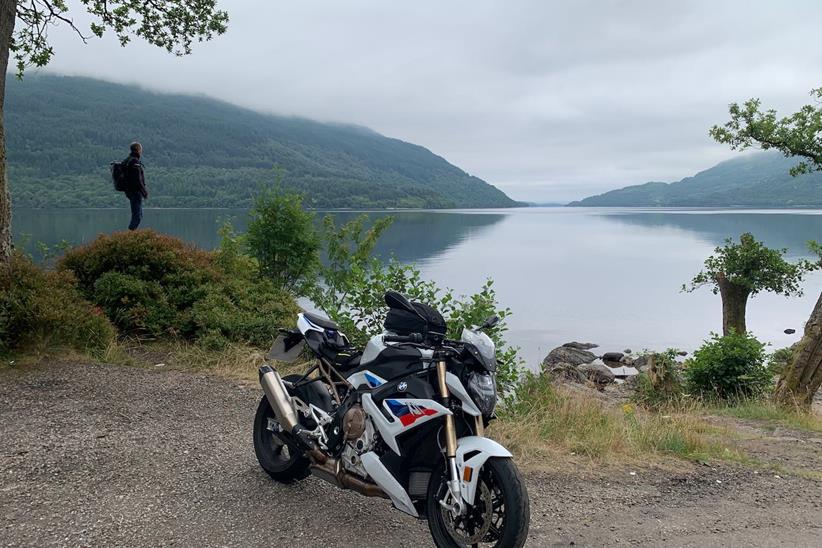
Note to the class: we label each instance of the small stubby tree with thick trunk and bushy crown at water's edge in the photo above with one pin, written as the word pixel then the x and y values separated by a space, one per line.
pixel 739 271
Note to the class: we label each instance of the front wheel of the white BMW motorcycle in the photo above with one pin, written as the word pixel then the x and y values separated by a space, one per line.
pixel 499 517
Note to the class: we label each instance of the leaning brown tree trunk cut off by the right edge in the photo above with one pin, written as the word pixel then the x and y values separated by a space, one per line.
pixel 803 376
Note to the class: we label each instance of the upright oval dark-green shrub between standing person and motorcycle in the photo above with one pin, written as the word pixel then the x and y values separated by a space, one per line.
pixel 282 237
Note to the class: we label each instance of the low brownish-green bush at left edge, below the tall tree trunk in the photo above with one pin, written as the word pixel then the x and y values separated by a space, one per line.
pixel 39 308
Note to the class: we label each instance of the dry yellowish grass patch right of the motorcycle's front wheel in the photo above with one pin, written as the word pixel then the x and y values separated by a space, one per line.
pixel 546 420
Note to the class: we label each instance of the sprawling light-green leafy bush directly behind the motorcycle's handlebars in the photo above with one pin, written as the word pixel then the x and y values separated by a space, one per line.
pixel 354 285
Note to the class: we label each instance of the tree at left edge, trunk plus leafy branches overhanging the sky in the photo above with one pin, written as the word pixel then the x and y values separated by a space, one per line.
pixel 170 24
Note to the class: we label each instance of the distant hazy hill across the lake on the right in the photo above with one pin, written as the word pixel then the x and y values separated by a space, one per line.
pixel 754 180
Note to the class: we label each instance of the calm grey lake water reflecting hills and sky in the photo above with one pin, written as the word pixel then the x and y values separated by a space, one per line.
pixel 610 276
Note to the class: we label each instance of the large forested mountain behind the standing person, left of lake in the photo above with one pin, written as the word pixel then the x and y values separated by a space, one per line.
pixel 63 132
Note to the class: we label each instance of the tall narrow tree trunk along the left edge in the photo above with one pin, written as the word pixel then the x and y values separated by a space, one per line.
pixel 8 13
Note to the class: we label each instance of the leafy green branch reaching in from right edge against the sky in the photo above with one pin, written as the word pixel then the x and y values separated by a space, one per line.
pixel 799 134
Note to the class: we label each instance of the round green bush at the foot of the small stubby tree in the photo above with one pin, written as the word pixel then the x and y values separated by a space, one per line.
pixel 727 367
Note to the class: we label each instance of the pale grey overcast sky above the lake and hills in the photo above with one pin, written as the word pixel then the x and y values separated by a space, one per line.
pixel 550 101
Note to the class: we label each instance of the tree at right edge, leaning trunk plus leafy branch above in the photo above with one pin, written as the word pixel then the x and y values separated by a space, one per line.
pixel 799 135
